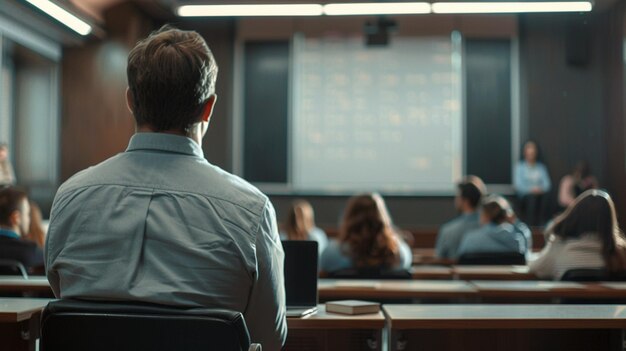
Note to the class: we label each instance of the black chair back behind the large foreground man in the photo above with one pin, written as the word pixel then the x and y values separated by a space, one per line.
pixel 99 326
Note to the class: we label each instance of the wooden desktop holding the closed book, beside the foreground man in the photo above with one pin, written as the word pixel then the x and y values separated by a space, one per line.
pixel 323 320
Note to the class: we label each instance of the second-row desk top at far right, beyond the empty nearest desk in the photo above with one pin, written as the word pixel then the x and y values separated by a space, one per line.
pixel 547 289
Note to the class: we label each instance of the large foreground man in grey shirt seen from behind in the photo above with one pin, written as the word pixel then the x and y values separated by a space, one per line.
pixel 158 223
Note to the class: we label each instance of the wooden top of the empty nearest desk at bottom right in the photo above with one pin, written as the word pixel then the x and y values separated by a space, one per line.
pixel 506 316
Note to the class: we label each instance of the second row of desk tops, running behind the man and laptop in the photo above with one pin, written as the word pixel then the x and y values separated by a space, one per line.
pixel 419 289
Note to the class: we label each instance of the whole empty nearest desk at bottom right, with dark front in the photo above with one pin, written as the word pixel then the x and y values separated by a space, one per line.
pixel 506 327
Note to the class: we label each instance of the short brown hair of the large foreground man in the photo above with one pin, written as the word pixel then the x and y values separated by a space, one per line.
pixel 171 75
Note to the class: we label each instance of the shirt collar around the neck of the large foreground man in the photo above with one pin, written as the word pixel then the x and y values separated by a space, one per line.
pixel 165 142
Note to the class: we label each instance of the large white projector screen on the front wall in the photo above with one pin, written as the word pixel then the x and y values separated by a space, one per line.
pixel 376 118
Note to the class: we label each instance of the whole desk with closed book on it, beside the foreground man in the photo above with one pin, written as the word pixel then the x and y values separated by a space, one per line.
pixel 329 332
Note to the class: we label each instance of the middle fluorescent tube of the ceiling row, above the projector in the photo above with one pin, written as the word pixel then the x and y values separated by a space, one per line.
pixel 380 8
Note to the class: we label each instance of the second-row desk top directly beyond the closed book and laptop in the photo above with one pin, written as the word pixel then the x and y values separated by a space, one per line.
pixel 381 289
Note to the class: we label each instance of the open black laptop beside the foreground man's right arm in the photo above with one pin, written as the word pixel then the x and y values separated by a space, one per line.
pixel 300 277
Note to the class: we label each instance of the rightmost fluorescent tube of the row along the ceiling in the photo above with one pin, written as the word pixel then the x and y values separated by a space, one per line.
pixel 511 7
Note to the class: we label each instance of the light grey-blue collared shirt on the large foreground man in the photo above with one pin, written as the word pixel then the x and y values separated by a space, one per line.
pixel 158 223
